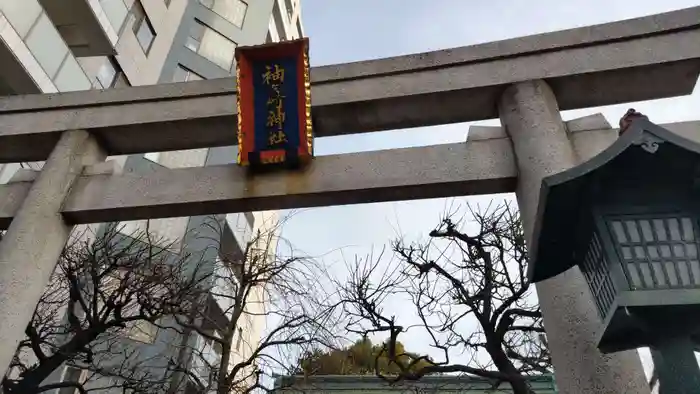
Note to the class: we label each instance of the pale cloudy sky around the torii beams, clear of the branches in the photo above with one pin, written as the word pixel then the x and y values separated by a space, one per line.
pixel 353 30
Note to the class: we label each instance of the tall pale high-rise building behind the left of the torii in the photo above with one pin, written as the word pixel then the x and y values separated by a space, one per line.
pixel 53 46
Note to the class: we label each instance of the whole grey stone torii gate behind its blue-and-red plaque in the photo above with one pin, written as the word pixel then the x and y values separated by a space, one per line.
pixel 524 81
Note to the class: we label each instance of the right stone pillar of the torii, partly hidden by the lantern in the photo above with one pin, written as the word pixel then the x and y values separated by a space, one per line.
pixel 530 114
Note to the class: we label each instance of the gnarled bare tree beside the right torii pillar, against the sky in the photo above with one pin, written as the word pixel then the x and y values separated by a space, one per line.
pixel 470 293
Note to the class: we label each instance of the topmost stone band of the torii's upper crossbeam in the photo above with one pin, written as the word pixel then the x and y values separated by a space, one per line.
pixel 660 24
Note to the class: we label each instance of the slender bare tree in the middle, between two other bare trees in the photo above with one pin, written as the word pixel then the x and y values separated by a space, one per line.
pixel 266 283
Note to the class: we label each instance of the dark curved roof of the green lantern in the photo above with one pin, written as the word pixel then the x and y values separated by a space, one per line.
pixel 646 158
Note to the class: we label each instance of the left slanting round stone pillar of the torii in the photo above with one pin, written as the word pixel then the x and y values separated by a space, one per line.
pixel 34 240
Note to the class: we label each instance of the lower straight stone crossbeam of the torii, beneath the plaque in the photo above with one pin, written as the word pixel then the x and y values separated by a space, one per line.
pixel 477 167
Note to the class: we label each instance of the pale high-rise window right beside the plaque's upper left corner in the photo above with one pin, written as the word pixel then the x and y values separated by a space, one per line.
pixel 211 45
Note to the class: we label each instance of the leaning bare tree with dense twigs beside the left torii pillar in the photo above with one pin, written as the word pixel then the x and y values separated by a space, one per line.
pixel 104 288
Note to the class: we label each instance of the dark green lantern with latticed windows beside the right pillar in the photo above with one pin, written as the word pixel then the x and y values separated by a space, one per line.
pixel 630 219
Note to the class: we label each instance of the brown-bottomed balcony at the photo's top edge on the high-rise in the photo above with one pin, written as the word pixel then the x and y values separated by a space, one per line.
pixel 84 26
